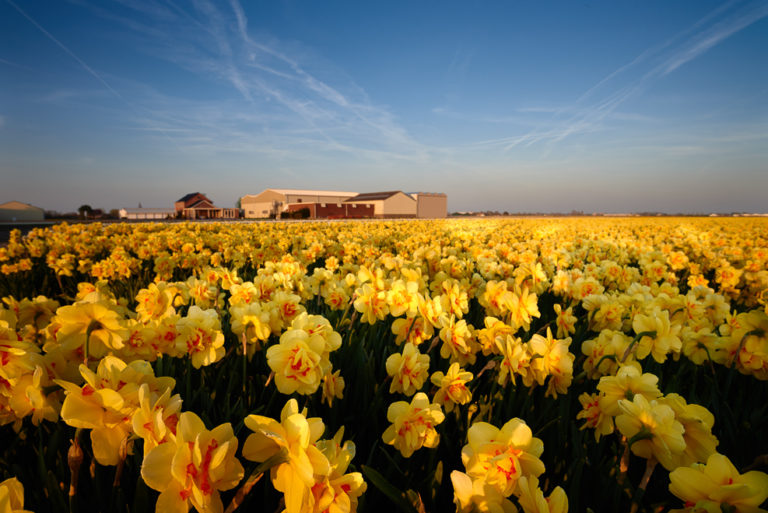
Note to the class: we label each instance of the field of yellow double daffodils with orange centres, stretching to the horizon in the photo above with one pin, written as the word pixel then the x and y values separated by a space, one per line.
pixel 535 365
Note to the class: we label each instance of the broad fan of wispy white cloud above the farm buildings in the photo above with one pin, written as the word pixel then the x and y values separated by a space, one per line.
pixel 288 98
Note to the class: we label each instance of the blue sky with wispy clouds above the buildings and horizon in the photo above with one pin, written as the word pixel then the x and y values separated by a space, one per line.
pixel 520 106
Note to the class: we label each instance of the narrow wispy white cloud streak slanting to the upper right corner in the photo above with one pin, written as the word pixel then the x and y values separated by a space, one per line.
pixel 591 110
